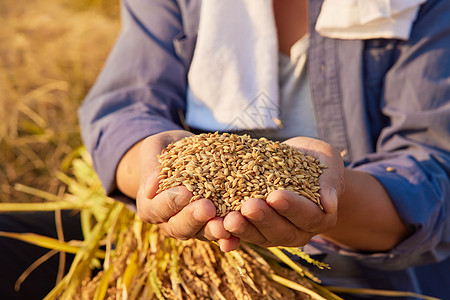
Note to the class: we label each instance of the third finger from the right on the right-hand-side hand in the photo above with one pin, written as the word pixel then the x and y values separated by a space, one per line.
pixel 239 227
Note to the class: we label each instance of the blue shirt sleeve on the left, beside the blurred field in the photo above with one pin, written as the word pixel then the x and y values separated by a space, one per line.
pixel 141 89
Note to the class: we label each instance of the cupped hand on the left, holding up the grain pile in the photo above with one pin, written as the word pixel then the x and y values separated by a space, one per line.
pixel 170 209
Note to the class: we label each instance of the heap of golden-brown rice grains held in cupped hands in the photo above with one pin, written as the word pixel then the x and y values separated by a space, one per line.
pixel 229 169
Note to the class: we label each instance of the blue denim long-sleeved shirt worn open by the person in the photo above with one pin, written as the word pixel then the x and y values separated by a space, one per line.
pixel 385 103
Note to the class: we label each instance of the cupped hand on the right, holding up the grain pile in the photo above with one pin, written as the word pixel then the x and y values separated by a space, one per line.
pixel 285 218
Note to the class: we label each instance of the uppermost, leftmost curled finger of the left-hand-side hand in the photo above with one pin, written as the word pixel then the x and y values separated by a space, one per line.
pixel 164 205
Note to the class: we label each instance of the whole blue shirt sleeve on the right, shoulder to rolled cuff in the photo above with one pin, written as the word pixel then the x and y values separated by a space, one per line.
pixel 412 160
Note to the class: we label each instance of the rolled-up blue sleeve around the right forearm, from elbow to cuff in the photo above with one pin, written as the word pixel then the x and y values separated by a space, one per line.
pixel 419 191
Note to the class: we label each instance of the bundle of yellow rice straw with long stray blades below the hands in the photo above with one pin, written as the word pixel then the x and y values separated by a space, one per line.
pixel 136 261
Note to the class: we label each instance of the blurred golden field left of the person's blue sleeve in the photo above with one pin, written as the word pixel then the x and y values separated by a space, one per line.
pixel 51 52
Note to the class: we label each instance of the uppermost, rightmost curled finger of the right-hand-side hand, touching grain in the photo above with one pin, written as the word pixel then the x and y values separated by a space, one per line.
pixel 301 212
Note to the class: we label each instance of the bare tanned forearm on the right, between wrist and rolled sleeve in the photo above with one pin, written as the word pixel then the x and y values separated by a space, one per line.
pixel 367 218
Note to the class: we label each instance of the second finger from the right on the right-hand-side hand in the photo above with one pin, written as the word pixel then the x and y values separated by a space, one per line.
pixel 274 227
